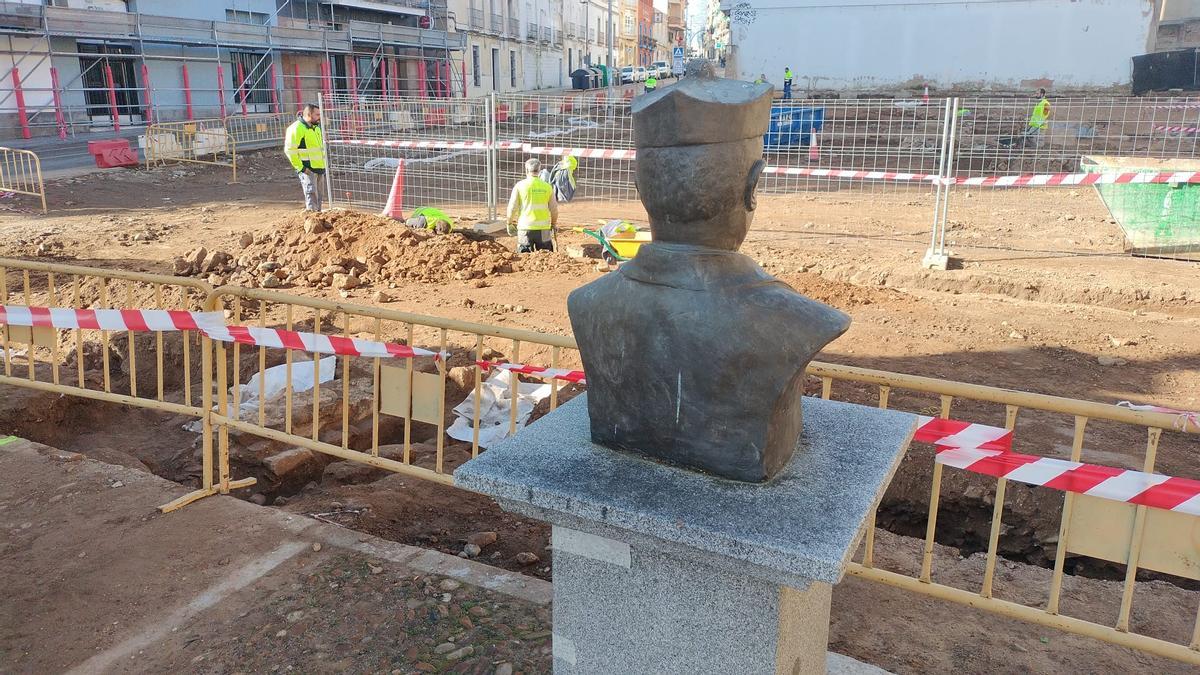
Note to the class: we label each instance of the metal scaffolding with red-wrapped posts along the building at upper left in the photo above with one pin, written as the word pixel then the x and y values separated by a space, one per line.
pixel 118 53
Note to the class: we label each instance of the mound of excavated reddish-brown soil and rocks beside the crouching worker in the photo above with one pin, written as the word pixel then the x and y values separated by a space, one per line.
pixel 346 250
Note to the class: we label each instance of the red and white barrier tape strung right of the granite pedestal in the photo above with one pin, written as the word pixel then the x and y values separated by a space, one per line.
pixel 988 450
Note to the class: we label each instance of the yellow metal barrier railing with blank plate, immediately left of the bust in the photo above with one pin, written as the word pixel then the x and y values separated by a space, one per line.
pixel 410 390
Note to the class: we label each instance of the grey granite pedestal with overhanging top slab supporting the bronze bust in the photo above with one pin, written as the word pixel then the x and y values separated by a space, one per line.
pixel 665 570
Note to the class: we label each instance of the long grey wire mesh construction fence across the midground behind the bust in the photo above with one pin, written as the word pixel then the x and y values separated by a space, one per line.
pixel 1139 154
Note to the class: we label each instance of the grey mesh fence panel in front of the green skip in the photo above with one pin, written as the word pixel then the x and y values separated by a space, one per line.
pixel 1133 162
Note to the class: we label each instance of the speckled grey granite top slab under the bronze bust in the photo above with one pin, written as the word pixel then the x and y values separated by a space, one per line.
pixel 805 524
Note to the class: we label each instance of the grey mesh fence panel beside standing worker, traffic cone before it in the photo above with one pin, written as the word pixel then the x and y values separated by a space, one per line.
pixel 434 151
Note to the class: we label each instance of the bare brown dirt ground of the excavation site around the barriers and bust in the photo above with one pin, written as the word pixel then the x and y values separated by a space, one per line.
pixel 1045 302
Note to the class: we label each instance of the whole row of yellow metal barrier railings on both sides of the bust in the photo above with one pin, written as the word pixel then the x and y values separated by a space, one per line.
pixel 415 392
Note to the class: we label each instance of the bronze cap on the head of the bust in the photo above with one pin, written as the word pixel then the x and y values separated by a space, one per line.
pixel 701 109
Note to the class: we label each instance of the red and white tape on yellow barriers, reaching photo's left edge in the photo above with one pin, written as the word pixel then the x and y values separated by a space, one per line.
pixel 209 324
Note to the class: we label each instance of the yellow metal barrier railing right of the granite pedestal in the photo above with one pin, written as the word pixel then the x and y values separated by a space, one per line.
pixel 1171 551
